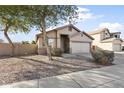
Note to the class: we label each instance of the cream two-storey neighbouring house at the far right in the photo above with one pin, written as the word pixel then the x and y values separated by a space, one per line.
pixel 106 40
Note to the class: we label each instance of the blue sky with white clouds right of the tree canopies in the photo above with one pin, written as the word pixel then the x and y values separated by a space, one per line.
pixel 111 17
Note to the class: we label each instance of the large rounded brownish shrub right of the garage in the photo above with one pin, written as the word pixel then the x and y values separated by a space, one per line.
pixel 101 56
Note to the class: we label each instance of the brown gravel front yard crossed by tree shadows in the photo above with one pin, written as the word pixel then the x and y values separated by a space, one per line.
pixel 21 68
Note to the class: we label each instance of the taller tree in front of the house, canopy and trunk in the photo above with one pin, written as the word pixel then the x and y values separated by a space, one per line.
pixel 46 16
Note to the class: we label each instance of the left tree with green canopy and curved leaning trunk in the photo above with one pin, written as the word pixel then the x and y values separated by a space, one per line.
pixel 12 20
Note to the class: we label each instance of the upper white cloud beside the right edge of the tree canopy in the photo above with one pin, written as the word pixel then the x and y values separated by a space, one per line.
pixel 86 14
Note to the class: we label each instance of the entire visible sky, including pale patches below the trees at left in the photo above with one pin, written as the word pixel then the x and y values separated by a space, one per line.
pixel 91 17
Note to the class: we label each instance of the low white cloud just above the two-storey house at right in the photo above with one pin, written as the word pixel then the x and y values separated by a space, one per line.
pixel 112 26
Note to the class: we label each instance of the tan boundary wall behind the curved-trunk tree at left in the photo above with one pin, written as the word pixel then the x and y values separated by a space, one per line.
pixel 20 49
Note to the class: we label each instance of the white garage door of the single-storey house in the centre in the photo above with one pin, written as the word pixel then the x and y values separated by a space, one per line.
pixel 80 47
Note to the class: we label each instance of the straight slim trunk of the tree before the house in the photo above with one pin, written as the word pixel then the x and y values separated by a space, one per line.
pixel 45 40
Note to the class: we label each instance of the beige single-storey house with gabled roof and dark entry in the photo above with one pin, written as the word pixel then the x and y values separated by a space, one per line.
pixel 69 38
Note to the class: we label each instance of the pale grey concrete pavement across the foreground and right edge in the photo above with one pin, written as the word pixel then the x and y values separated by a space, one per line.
pixel 106 77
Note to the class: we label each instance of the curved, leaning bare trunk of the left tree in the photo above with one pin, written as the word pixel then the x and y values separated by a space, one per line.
pixel 9 40
